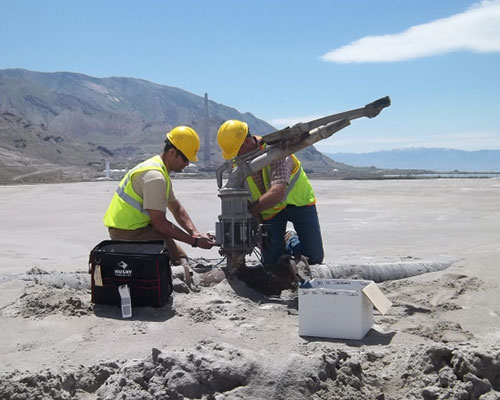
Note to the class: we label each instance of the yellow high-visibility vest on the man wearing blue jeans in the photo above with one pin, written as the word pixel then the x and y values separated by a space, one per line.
pixel 298 193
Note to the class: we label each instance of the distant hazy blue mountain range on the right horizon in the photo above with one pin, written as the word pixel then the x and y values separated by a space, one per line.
pixel 435 159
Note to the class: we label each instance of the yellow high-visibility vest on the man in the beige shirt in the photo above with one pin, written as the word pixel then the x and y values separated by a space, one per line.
pixel 125 210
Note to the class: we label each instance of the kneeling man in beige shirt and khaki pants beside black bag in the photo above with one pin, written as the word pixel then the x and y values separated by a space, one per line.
pixel 138 208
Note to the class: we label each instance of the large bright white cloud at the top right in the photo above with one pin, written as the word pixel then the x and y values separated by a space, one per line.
pixel 477 30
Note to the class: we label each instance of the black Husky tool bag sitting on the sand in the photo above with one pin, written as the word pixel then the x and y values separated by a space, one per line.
pixel 142 265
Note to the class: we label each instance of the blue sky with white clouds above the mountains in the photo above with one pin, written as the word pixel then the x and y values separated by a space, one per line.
pixel 287 61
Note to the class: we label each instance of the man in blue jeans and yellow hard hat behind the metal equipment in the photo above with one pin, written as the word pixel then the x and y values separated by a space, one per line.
pixel 280 192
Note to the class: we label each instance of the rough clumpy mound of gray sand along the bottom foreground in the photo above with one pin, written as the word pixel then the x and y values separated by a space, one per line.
pixel 219 371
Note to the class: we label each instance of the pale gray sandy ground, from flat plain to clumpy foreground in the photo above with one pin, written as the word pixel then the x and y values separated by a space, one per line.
pixel 438 341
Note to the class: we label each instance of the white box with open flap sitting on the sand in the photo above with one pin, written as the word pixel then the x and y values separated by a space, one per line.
pixel 339 308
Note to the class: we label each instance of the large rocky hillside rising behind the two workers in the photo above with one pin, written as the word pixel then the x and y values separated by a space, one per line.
pixel 70 119
